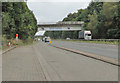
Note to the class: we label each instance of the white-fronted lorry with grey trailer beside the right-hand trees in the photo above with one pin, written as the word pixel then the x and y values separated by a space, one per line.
pixel 85 35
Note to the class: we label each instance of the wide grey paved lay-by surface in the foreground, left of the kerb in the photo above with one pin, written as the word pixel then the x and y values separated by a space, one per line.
pixel 42 62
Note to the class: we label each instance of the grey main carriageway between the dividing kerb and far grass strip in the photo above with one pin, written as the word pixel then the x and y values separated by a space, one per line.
pixel 98 49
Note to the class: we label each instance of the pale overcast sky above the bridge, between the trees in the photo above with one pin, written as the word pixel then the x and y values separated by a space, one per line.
pixel 55 10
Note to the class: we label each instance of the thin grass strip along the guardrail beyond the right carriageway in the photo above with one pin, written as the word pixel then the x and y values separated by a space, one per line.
pixel 92 41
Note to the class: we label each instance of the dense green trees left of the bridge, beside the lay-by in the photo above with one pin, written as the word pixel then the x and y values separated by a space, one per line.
pixel 17 18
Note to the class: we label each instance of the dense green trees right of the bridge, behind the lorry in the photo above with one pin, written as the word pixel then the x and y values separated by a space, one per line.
pixel 102 18
